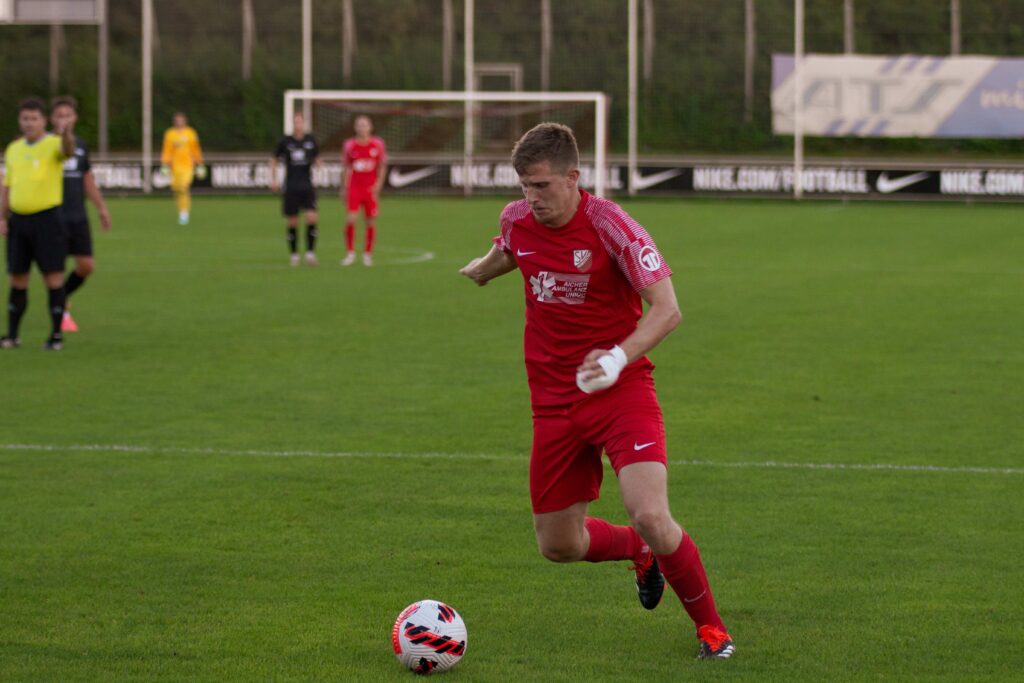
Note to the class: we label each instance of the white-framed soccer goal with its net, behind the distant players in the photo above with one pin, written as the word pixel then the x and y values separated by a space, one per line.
pixel 456 142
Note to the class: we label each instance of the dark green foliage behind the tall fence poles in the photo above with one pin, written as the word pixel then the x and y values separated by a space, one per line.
pixel 694 102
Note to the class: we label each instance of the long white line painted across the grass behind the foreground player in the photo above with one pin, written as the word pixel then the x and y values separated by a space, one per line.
pixel 769 464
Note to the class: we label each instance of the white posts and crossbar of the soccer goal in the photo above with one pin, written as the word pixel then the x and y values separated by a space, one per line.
pixel 600 100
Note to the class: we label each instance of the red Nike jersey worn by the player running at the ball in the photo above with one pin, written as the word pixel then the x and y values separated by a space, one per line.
pixel 582 284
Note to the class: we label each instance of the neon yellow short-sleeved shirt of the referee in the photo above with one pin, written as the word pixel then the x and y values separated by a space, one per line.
pixel 35 175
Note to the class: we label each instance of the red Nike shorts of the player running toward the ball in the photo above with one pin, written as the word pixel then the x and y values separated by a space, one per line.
pixel 624 421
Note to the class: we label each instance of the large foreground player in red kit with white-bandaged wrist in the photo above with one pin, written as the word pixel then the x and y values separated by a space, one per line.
pixel 587 267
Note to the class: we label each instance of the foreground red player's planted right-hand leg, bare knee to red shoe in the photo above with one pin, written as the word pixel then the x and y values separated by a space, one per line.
pixel 645 488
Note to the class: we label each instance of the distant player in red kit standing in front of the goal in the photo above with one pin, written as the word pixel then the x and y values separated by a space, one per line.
pixel 366 163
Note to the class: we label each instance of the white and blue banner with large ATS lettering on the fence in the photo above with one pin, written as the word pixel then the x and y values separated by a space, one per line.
pixel 901 97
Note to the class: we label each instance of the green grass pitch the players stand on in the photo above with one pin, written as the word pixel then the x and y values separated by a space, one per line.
pixel 242 472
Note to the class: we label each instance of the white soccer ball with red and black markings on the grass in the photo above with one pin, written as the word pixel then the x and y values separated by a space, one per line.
pixel 430 637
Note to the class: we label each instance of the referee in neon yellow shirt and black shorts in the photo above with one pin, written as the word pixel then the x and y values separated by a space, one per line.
pixel 30 217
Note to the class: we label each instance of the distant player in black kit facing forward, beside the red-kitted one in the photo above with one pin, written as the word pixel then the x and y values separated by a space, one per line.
pixel 300 153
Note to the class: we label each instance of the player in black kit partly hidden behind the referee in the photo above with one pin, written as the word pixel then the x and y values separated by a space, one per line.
pixel 79 183
